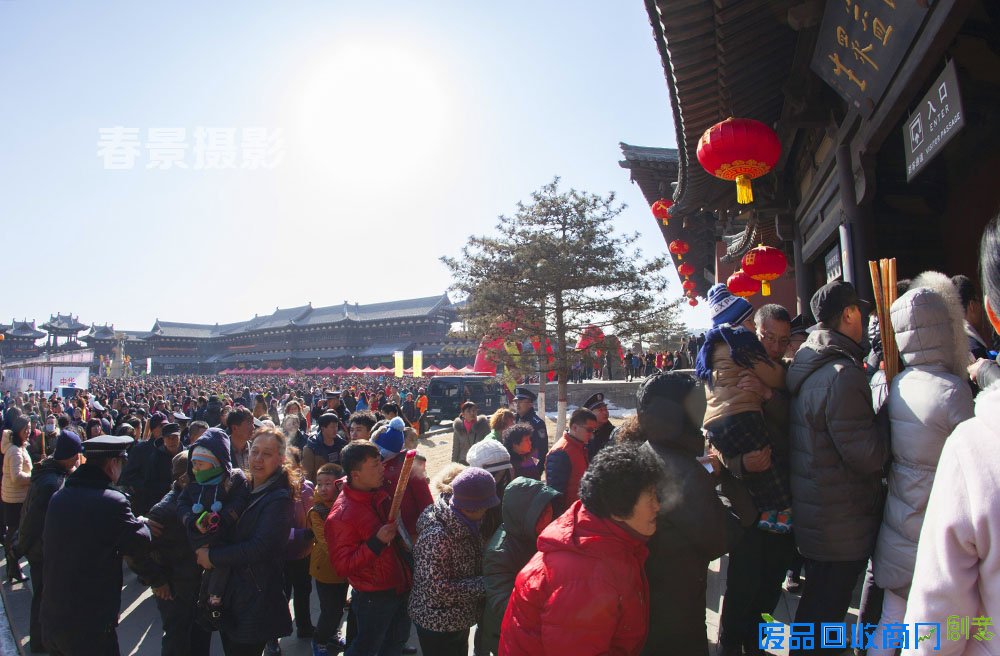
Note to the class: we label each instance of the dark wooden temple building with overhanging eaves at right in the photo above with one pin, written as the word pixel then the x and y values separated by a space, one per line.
pixel 887 114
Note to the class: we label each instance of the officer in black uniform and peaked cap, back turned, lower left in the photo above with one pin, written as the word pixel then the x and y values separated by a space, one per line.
pixel 88 528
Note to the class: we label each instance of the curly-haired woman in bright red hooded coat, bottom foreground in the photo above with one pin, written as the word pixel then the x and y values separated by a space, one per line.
pixel 585 591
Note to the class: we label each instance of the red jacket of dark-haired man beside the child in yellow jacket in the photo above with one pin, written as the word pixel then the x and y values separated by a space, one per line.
pixel 368 564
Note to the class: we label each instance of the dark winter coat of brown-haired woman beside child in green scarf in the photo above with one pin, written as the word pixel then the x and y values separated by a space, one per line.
pixel 254 599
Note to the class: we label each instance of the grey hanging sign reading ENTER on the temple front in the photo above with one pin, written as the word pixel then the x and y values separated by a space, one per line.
pixel 937 118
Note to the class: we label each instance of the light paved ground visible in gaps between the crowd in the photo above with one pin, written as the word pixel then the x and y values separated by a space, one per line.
pixel 139 631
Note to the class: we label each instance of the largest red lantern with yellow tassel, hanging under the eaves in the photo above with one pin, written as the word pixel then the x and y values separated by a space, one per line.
pixel 739 149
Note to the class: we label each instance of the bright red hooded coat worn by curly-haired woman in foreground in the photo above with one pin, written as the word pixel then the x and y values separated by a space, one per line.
pixel 583 593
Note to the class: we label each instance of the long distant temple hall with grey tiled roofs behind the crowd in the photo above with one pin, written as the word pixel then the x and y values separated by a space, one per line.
pixel 299 338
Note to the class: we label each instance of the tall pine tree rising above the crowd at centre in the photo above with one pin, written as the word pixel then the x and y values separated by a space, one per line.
pixel 552 268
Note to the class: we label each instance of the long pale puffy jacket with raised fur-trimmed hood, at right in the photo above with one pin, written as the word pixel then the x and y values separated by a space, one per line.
pixel 927 400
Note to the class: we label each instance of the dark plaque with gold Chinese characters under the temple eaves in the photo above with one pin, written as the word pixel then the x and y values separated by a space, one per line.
pixel 861 44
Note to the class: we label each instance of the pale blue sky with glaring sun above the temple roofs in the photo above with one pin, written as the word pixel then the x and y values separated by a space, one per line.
pixel 404 128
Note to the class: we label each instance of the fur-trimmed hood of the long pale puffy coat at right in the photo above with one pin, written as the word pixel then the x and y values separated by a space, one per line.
pixel 929 324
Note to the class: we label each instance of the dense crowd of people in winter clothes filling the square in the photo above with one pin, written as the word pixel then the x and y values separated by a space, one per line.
pixel 787 449
